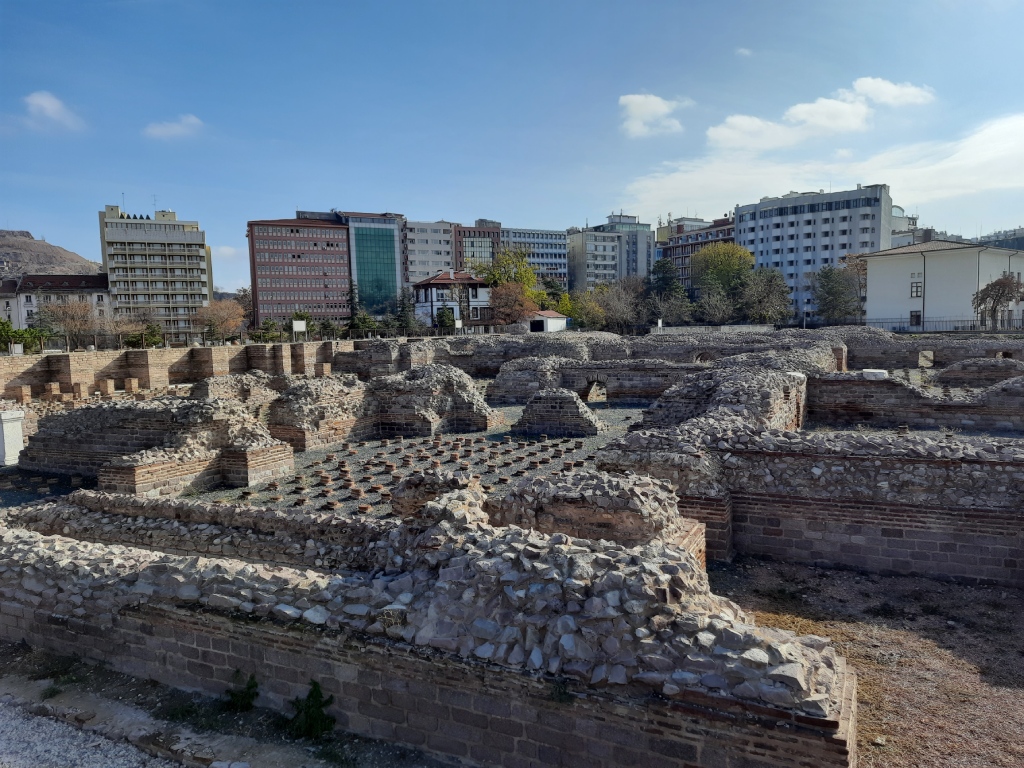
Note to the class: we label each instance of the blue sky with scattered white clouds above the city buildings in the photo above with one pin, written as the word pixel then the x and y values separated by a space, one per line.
pixel 538 114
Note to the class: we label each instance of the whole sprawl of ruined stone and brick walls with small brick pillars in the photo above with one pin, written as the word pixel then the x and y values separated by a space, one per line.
pixel 496 548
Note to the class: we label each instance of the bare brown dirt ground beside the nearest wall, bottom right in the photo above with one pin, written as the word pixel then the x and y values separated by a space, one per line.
pixel 941 667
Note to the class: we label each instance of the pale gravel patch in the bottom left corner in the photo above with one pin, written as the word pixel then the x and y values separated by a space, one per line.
pixel 30 742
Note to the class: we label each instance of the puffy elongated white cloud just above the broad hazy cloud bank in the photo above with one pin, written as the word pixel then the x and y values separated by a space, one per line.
pixel 846 112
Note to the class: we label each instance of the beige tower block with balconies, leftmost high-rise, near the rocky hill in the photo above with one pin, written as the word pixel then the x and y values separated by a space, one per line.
pixel 158 268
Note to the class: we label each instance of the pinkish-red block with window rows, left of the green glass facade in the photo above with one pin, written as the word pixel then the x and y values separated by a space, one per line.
pixel 300 265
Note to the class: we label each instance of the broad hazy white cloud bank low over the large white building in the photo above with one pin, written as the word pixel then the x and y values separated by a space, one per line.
pixel 990 158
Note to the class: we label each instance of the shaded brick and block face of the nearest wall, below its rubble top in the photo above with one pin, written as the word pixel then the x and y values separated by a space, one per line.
pixel 480 714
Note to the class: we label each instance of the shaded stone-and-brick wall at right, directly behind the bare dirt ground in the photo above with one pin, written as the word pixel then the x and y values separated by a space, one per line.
pixel 880 502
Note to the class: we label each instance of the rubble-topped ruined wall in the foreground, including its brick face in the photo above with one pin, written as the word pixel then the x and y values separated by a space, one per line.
pixel 422 611
